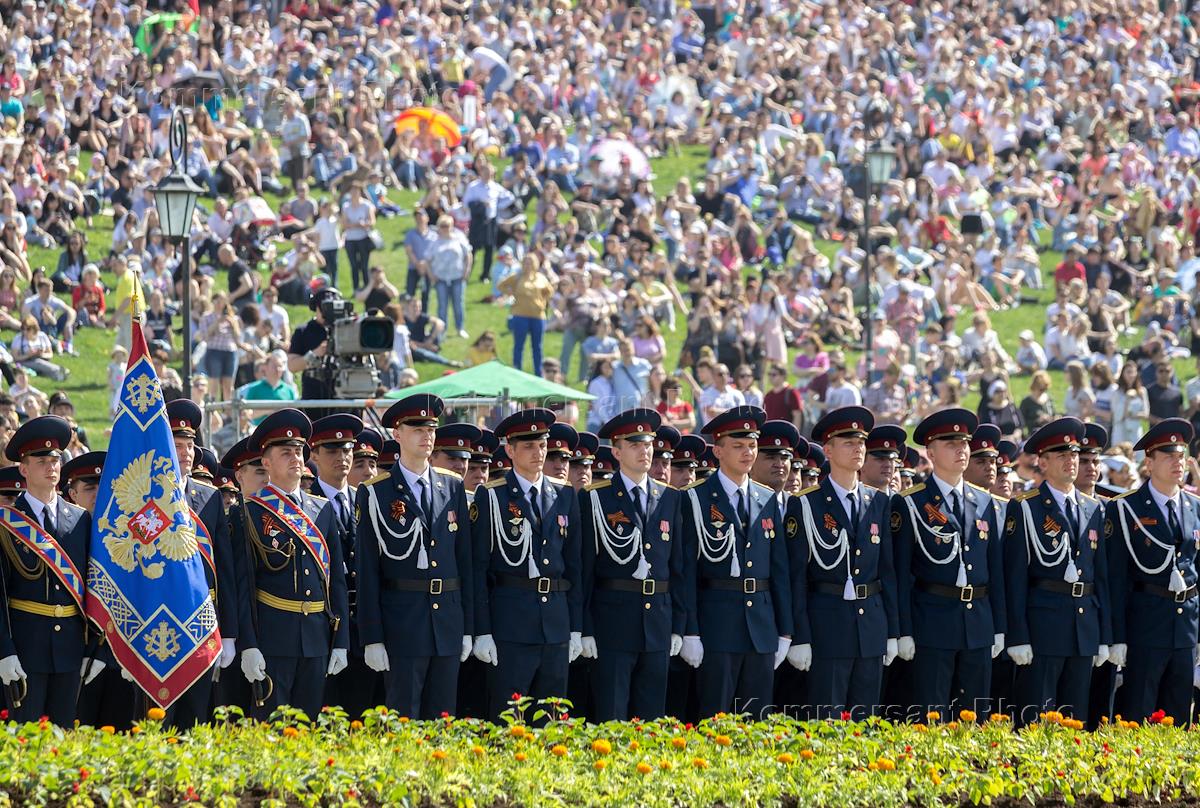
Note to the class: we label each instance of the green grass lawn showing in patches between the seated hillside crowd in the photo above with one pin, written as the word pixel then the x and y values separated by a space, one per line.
pixel 88 386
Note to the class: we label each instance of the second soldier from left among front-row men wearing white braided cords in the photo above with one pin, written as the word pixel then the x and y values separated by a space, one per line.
pixel 526 554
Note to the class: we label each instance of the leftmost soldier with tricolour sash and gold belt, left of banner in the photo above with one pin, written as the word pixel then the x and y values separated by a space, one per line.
pixel 43 629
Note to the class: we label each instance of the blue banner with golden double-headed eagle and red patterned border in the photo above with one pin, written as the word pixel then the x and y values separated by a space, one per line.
pixel 147 588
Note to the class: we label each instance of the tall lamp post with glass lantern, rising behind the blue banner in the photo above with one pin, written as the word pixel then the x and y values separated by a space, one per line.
pixel 175 199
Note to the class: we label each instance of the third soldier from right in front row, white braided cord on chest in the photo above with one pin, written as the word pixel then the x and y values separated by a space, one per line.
pixel 950 573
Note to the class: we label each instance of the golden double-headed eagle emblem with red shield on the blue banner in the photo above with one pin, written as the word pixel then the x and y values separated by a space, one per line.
pixel 148 518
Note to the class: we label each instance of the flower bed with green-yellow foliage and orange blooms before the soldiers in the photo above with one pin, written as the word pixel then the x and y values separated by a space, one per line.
pixel 386 759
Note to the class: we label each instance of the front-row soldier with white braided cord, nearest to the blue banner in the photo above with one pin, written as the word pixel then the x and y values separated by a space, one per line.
pixel 415 568
